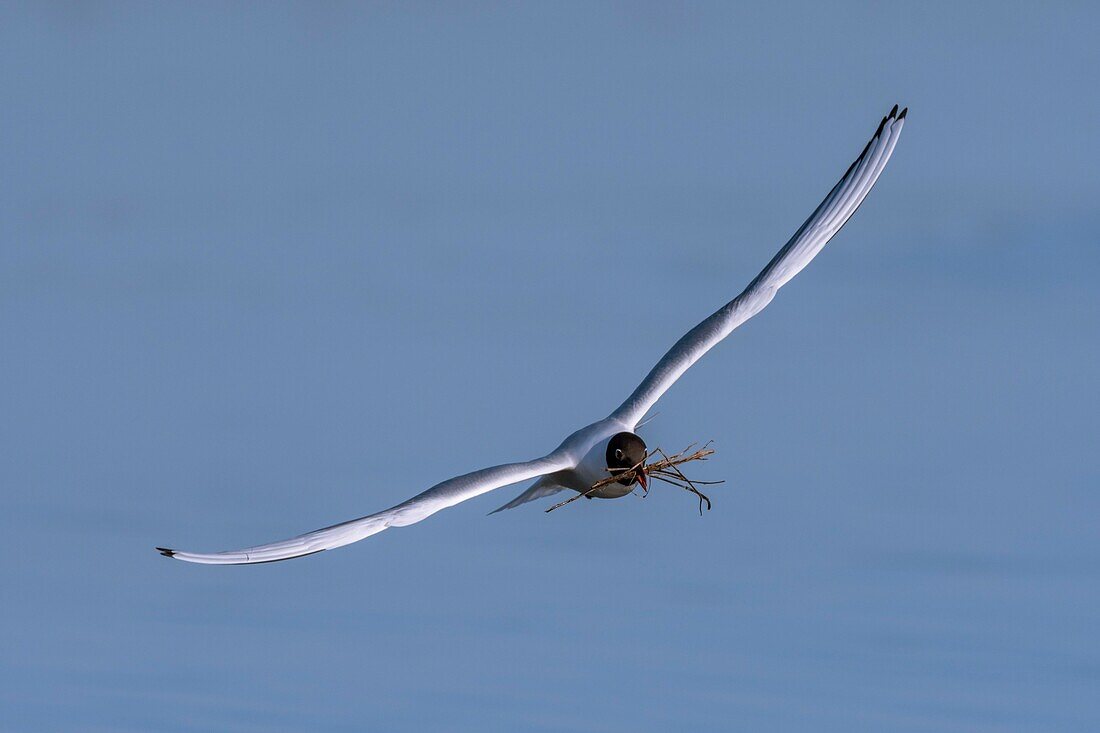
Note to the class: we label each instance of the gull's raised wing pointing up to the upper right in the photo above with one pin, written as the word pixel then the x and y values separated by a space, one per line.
pixel 808 242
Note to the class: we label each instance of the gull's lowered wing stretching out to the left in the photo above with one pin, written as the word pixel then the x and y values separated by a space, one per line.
pixel 442 496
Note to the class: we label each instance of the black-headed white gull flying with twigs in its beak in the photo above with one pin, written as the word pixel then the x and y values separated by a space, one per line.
pixel 611 446
